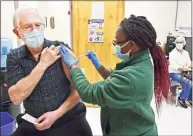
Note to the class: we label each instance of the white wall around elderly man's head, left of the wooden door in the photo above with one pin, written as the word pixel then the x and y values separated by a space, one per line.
pixel 47 9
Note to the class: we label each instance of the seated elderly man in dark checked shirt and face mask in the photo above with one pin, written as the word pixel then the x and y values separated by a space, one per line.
pixel 36 78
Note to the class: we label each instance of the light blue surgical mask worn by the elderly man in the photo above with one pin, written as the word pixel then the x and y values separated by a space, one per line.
pixel 34 39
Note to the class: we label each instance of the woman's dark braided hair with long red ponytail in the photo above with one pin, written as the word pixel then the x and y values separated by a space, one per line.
pixel 140 30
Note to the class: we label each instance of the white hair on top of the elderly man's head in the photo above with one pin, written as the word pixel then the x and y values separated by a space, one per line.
pixel 19 12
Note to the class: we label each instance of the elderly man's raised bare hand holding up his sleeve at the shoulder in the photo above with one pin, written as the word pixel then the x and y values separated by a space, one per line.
pixel 49 56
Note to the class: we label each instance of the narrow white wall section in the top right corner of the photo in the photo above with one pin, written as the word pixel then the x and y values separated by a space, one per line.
pixel 184 13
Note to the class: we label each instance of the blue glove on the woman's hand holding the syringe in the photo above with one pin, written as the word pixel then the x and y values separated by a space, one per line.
pixel 92 56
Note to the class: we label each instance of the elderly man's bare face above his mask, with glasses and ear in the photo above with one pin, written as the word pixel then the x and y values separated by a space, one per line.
pixel 28 22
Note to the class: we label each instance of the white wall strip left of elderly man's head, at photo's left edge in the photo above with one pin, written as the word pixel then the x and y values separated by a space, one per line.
pixel 7 11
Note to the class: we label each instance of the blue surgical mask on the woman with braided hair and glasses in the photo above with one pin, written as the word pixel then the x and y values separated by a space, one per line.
pixel 117 52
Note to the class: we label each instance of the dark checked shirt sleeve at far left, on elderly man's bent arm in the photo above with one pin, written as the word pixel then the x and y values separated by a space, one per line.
pixel 14 71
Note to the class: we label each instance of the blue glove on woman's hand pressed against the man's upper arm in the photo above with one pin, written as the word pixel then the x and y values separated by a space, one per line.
pixel 67 56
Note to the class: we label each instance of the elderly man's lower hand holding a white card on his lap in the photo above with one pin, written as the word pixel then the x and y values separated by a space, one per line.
pixel 46 120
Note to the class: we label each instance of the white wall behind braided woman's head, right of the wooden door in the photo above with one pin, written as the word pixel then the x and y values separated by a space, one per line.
pixel 160 13
